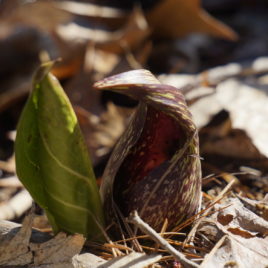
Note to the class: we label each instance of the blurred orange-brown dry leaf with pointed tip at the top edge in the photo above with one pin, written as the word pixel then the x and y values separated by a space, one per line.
pixel 175 20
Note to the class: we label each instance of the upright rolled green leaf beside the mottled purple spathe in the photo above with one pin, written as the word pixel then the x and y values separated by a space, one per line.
pixel 52 159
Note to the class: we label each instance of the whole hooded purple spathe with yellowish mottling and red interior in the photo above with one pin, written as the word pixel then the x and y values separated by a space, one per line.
pixel 155 166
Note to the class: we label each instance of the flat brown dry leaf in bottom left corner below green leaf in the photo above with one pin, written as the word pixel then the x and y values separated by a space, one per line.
pixel 16 248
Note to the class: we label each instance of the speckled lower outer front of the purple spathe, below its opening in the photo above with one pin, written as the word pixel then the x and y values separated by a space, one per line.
pixel 175 199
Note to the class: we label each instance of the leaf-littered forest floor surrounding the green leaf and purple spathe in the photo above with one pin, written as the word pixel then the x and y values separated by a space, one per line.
pixel 223 73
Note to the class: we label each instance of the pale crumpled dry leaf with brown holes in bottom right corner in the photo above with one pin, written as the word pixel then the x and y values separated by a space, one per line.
pixel 242 232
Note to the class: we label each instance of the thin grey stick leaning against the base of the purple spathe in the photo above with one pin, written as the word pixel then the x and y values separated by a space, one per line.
pixel 138 222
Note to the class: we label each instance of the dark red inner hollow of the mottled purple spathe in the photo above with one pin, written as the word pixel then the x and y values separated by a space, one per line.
pixel 152 149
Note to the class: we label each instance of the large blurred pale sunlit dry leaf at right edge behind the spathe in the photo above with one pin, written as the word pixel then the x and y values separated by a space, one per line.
pixel 247 104
